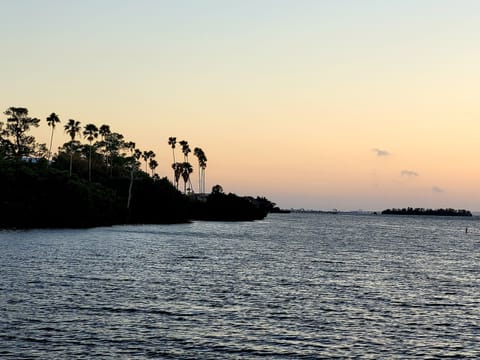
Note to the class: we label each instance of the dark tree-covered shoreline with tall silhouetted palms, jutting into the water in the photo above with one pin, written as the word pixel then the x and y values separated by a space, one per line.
pixel 100 181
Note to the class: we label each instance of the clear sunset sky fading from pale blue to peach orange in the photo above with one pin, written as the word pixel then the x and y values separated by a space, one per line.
pixel 321 104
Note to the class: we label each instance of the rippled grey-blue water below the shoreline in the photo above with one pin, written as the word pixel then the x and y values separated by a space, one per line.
pixel 291 286
